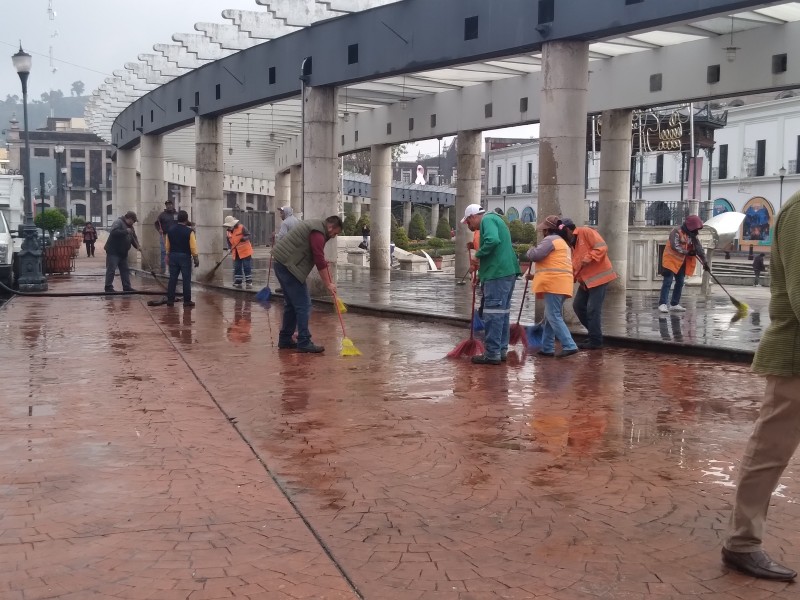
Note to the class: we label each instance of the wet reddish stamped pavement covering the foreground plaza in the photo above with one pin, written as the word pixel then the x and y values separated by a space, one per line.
pixel 176 453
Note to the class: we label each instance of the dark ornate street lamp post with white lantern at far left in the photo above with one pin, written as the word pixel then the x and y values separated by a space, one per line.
pixel 30 277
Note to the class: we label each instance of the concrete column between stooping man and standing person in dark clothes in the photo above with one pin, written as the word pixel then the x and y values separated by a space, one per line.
pixel 153 196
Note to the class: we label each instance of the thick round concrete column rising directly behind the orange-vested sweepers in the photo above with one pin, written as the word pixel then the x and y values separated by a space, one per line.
pixel 562 132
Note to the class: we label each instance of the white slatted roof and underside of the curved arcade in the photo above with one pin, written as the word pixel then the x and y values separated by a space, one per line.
pixel 252 138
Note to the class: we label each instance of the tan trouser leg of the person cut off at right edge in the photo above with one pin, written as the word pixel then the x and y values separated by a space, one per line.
pixel 773 442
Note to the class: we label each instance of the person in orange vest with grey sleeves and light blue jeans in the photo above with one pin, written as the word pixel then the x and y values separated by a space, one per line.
pixel 553 280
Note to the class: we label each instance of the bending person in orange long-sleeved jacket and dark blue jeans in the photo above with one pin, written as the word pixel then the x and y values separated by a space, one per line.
pixel 593 271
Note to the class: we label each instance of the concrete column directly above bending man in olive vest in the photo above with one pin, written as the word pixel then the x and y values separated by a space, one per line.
pixel 321 186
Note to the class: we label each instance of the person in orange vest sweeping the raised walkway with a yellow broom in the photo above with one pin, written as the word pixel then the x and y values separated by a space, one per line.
pixel 679 260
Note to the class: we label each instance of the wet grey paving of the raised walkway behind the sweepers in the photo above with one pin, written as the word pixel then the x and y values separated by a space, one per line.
pixel 628 320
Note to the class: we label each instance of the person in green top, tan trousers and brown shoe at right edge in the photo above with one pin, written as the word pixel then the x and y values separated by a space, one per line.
pixel 777 431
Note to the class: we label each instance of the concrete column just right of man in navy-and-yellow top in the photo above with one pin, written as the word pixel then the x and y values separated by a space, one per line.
pixel 208 201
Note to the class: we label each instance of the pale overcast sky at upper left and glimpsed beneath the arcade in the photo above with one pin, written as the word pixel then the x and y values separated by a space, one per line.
pixel 92 38
